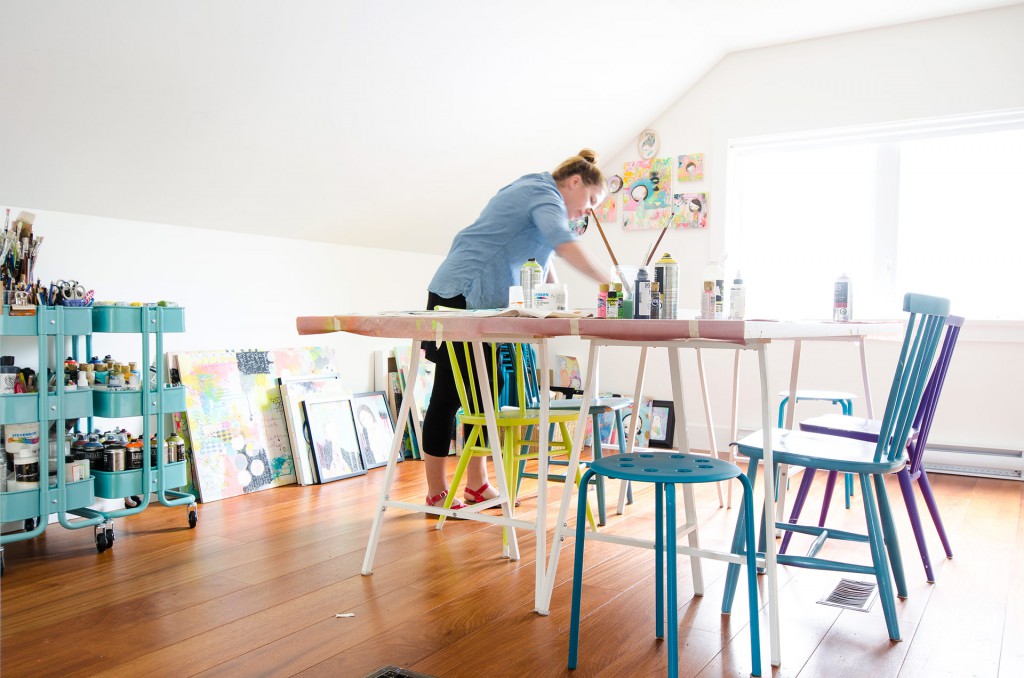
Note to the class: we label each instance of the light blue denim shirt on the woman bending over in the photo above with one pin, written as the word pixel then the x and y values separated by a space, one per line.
pixel 526 220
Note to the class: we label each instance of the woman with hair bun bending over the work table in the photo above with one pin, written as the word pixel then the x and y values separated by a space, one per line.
pixel 529 219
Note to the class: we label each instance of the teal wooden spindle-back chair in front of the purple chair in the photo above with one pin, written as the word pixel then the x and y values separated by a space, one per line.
pixel 869 461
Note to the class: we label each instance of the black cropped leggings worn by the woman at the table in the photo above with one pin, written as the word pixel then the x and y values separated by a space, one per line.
pixel 439 423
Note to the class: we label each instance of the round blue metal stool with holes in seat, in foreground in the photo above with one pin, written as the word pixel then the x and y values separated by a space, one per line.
pixel 666 471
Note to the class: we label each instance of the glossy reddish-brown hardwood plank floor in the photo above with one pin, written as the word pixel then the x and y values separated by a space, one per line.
pixel 254 591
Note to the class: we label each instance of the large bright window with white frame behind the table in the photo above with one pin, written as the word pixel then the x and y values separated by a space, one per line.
pixel 932 207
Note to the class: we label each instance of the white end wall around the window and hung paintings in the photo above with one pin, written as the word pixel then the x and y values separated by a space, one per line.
pixel 966 64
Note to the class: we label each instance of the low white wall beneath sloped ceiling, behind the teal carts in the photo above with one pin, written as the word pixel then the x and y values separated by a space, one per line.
pixel 239 291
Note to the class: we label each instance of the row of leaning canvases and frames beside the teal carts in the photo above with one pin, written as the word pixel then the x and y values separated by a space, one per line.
pixel 262 419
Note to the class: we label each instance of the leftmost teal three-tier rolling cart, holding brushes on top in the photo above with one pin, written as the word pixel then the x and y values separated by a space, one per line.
pixel 58 495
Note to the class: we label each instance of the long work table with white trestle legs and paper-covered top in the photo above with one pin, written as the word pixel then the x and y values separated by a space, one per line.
pixel 479 328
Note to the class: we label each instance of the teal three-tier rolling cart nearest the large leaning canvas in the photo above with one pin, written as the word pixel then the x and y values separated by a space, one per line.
pixel 150 402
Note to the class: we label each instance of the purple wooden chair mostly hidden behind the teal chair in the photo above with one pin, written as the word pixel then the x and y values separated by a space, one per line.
pixel 868 430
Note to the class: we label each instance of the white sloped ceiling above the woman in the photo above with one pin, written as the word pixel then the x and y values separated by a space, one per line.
pixel 364 123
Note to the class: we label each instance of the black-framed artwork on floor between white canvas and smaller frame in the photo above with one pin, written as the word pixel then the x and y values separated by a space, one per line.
pixel 332 437
